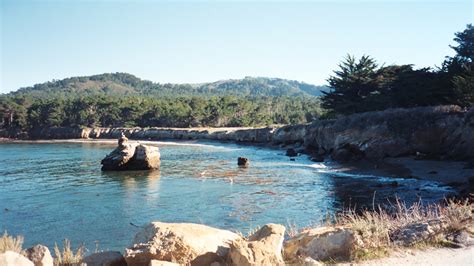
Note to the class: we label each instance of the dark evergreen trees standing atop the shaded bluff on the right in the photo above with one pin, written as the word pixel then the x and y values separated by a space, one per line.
pixel 361 85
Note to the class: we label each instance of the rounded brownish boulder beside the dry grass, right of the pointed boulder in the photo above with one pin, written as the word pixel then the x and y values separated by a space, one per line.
pixel 321 243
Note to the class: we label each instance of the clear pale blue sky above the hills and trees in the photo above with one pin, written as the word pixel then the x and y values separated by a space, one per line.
pixel 203 41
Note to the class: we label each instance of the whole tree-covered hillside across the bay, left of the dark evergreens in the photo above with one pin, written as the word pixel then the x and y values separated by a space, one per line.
pixel 120 99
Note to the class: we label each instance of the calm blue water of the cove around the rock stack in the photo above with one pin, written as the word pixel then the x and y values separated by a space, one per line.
pixel 52 191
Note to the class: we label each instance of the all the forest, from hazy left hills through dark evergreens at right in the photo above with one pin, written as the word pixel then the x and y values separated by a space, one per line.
pixel 123 100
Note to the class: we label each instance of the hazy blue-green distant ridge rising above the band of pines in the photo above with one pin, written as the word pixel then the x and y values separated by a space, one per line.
pixel 127 84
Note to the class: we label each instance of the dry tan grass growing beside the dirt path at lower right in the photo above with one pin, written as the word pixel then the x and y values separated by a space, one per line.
pixel 373 227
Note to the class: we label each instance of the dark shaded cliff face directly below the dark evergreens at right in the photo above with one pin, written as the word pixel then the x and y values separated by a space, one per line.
pixel 440 132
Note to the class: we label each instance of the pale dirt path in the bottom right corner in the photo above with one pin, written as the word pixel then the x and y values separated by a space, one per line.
pixel 441 257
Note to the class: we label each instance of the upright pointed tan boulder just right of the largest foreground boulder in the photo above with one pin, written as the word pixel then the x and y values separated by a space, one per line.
pixel 261 248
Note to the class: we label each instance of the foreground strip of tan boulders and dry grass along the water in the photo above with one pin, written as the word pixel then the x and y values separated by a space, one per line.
pixel 352 238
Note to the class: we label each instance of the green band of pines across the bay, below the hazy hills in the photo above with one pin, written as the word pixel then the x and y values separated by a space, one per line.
pixel 26 113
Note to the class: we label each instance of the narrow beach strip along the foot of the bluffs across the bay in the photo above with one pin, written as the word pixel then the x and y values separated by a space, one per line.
pixel 455 174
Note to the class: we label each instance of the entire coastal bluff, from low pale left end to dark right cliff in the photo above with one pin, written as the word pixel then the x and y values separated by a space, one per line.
pixel 441 132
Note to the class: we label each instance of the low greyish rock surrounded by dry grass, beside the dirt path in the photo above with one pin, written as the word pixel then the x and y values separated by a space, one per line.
pixel 417 232
